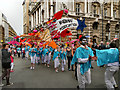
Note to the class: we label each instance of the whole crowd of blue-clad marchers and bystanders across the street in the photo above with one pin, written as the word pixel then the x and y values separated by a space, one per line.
pixel 81 55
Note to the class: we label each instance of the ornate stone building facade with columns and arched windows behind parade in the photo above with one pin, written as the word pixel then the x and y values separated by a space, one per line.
pixel 102 18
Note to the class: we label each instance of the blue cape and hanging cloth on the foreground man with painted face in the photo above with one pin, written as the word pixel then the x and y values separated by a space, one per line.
pixel 82 53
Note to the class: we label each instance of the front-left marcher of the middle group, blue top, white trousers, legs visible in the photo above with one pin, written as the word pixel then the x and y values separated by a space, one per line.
pixel 32 55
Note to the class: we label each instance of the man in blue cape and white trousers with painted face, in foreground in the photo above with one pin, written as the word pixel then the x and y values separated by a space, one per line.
pixel 81 56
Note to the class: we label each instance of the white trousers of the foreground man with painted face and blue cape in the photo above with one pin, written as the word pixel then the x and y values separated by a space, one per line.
pixel 83 79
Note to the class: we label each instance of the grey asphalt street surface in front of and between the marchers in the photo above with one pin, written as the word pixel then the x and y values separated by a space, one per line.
pixel 43 77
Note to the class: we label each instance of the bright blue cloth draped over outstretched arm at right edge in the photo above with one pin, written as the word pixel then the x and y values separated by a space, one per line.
pixel 107 56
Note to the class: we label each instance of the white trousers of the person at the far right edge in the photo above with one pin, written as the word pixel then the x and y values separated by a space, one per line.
pixel 109 77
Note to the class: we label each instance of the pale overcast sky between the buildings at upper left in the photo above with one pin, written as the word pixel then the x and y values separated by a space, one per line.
pixel 13 10
